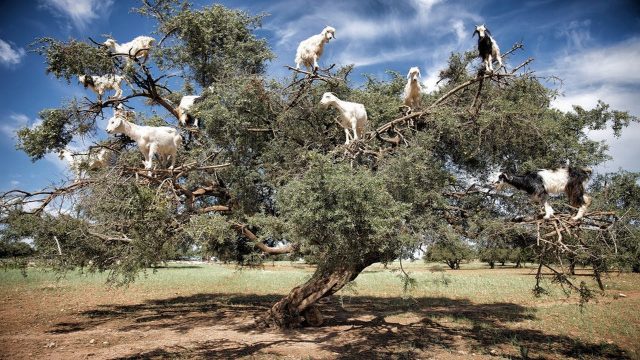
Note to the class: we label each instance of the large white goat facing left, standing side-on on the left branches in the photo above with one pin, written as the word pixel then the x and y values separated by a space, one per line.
pixel 152 140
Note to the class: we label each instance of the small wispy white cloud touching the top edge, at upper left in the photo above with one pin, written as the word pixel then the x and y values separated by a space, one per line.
pixel 81 13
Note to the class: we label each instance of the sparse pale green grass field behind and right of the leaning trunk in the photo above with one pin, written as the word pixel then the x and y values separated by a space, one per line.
pixel 497 302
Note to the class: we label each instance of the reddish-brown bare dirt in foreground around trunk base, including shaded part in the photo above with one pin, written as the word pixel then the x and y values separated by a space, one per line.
pixel 58 323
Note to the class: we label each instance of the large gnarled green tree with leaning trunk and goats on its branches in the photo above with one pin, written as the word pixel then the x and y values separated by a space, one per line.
pixel 267 173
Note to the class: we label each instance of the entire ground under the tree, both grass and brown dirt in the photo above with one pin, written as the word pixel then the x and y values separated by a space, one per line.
pixel 208 311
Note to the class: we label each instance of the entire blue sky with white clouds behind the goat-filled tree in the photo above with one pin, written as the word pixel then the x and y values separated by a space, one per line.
pixel 594 46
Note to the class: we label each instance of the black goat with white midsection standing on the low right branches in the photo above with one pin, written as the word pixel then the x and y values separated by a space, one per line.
pixel 542 183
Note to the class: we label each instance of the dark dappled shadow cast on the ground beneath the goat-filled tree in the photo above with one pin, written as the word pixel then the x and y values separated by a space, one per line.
pixel 363 327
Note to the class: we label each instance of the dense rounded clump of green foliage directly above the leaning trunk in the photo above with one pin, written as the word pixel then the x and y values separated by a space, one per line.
pixel 341 215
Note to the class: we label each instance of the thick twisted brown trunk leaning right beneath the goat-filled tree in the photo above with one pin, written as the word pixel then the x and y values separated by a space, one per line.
pixel 298 307
